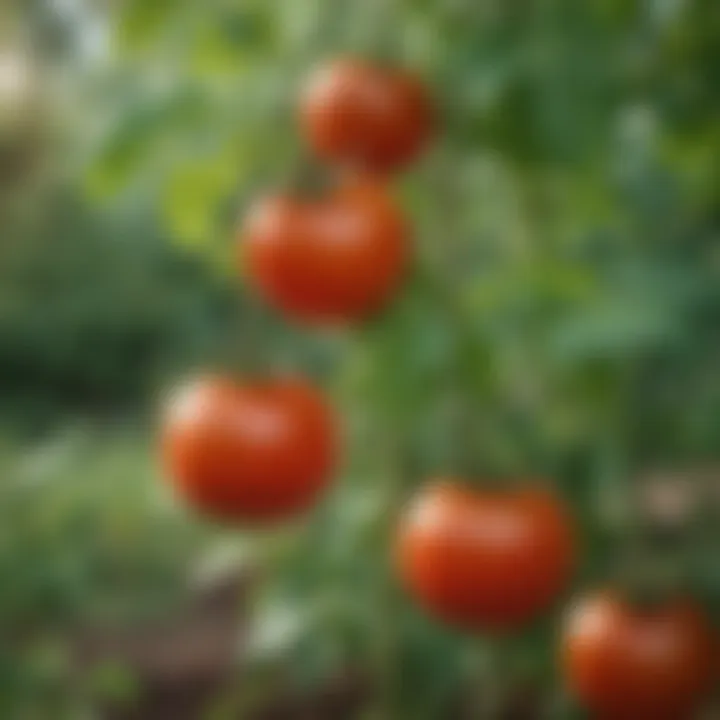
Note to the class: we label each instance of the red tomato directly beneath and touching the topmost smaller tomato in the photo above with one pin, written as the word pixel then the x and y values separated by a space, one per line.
pixel 335 257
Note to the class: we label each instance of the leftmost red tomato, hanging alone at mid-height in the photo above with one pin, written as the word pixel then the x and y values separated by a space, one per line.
pixel 252 452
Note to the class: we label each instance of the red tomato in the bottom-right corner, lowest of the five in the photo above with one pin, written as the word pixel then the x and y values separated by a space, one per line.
pixel 626 663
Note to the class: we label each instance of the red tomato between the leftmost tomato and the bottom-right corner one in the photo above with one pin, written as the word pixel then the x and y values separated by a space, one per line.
pixel 488 560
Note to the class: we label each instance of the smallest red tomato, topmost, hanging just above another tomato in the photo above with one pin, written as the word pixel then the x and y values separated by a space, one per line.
pixel 372 117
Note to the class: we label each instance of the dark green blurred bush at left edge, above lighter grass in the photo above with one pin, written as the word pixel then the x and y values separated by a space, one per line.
pixel 94 312
